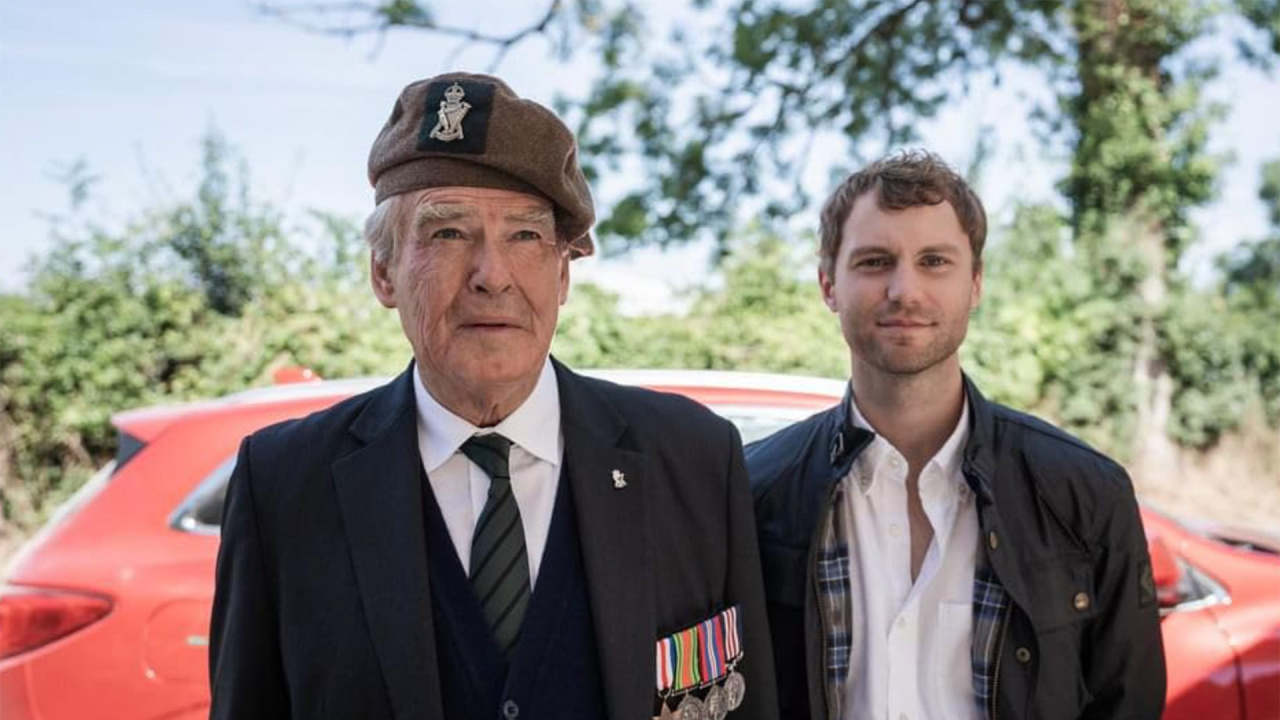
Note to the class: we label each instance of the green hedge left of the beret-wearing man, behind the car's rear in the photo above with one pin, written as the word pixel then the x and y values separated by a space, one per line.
pixel 193 300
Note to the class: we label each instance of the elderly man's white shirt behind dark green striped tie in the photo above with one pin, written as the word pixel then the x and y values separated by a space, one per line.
pixel 461 487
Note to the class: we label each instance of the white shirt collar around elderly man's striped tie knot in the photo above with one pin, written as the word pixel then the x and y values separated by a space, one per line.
pixel 534 426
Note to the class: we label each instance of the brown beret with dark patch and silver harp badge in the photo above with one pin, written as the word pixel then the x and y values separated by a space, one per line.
pixel 473 131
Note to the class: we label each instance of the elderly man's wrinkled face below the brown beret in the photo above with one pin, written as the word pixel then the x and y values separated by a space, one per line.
pixel 478 279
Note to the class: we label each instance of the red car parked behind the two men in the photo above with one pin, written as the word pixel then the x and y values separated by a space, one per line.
pixel 106 613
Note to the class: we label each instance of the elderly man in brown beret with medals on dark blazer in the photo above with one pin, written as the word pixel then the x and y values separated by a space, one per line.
pixel 490 535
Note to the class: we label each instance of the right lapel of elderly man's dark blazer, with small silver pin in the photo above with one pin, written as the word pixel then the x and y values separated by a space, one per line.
pixel 615 544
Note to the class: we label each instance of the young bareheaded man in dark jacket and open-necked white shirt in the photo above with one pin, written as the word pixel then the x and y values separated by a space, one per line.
pixel 927 554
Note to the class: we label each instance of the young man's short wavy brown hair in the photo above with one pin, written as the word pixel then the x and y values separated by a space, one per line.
pixel 904 180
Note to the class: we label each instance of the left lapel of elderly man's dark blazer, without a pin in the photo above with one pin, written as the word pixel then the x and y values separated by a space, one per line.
pixel 381 498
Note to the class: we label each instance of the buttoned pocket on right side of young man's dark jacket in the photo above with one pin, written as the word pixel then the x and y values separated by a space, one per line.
pixel 1060 607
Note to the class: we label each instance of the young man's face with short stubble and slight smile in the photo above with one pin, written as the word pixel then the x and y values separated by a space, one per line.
pixel 904 285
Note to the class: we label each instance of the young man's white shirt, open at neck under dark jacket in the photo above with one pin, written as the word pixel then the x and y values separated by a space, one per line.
pixel 911 657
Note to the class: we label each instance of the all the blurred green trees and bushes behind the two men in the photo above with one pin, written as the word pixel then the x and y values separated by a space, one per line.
pixel 1090 317
